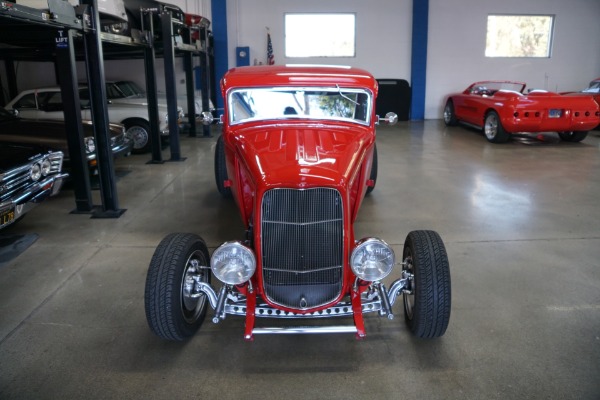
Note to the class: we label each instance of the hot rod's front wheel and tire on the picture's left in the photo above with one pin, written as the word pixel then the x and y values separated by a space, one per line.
pixel 171 310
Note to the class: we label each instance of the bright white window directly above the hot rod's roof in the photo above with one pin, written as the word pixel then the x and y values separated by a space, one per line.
pixel 320 35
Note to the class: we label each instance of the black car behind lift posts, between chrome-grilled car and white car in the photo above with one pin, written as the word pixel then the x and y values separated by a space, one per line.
pixel 52 135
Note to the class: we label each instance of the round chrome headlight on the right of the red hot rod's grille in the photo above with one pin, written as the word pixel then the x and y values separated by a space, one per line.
pixel 372 259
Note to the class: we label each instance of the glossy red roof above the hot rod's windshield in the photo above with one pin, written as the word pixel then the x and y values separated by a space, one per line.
pixel 298 75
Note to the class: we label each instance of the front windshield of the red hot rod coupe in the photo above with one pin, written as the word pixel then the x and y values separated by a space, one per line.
pixel 353 105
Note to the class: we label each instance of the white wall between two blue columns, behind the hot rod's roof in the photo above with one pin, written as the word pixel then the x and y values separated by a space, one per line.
pixel 383 32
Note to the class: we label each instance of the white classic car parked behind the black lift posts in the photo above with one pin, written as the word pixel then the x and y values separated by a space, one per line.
pixel 47 104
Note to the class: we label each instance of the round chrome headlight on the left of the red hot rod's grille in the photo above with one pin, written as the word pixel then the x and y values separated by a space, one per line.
pixel 233 263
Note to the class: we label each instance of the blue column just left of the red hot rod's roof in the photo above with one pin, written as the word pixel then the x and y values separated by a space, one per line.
pixel 219 23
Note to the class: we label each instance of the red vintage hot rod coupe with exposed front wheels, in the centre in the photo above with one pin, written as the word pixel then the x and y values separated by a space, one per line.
pixel 297 155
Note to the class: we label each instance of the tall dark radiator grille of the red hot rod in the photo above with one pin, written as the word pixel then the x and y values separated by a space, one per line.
pixel 302 246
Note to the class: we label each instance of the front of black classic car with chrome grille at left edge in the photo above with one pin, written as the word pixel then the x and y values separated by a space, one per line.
pixel 28 175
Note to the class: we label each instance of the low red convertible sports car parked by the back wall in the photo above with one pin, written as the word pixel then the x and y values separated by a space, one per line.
pixel 502 107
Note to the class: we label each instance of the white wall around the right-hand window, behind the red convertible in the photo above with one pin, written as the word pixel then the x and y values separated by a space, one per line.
pixel 455 55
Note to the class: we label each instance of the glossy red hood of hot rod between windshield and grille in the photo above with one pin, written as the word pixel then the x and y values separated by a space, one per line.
pixel 303 155
